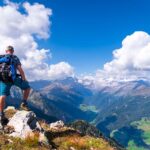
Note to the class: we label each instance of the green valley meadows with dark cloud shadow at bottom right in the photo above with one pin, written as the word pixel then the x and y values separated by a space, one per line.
pixel 137 136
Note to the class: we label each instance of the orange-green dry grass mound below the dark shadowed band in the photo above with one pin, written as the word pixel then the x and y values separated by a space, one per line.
pixel 82 143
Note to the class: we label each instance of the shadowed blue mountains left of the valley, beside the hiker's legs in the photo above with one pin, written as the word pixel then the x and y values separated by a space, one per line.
pixel 57 99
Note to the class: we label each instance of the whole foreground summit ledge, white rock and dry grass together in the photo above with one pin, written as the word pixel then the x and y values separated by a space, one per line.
pixel 23 131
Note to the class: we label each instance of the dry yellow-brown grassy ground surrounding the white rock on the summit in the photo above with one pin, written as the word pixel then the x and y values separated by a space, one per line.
pixel 62 139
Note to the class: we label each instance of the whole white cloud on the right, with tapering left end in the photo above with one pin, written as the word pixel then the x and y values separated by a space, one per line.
pixel 130 62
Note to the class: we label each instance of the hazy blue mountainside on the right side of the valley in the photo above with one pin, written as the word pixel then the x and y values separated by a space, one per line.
pixel 119 106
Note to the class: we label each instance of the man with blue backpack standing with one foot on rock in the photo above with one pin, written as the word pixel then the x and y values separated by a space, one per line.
pixel 9 65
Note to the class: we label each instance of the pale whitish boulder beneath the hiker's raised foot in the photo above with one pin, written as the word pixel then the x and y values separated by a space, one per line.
pixel 24 124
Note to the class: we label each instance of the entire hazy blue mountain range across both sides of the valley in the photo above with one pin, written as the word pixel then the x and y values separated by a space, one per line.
pixel 112 108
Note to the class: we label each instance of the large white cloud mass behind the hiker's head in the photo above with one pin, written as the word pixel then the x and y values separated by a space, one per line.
pixel 22 29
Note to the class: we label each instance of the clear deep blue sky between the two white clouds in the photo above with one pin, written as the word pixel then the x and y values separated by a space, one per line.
pixel 85 32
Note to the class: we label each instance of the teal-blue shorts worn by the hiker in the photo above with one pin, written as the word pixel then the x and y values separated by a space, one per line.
pixel 5 87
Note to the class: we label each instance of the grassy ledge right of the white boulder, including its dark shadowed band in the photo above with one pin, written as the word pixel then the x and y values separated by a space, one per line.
pixel 69 138
